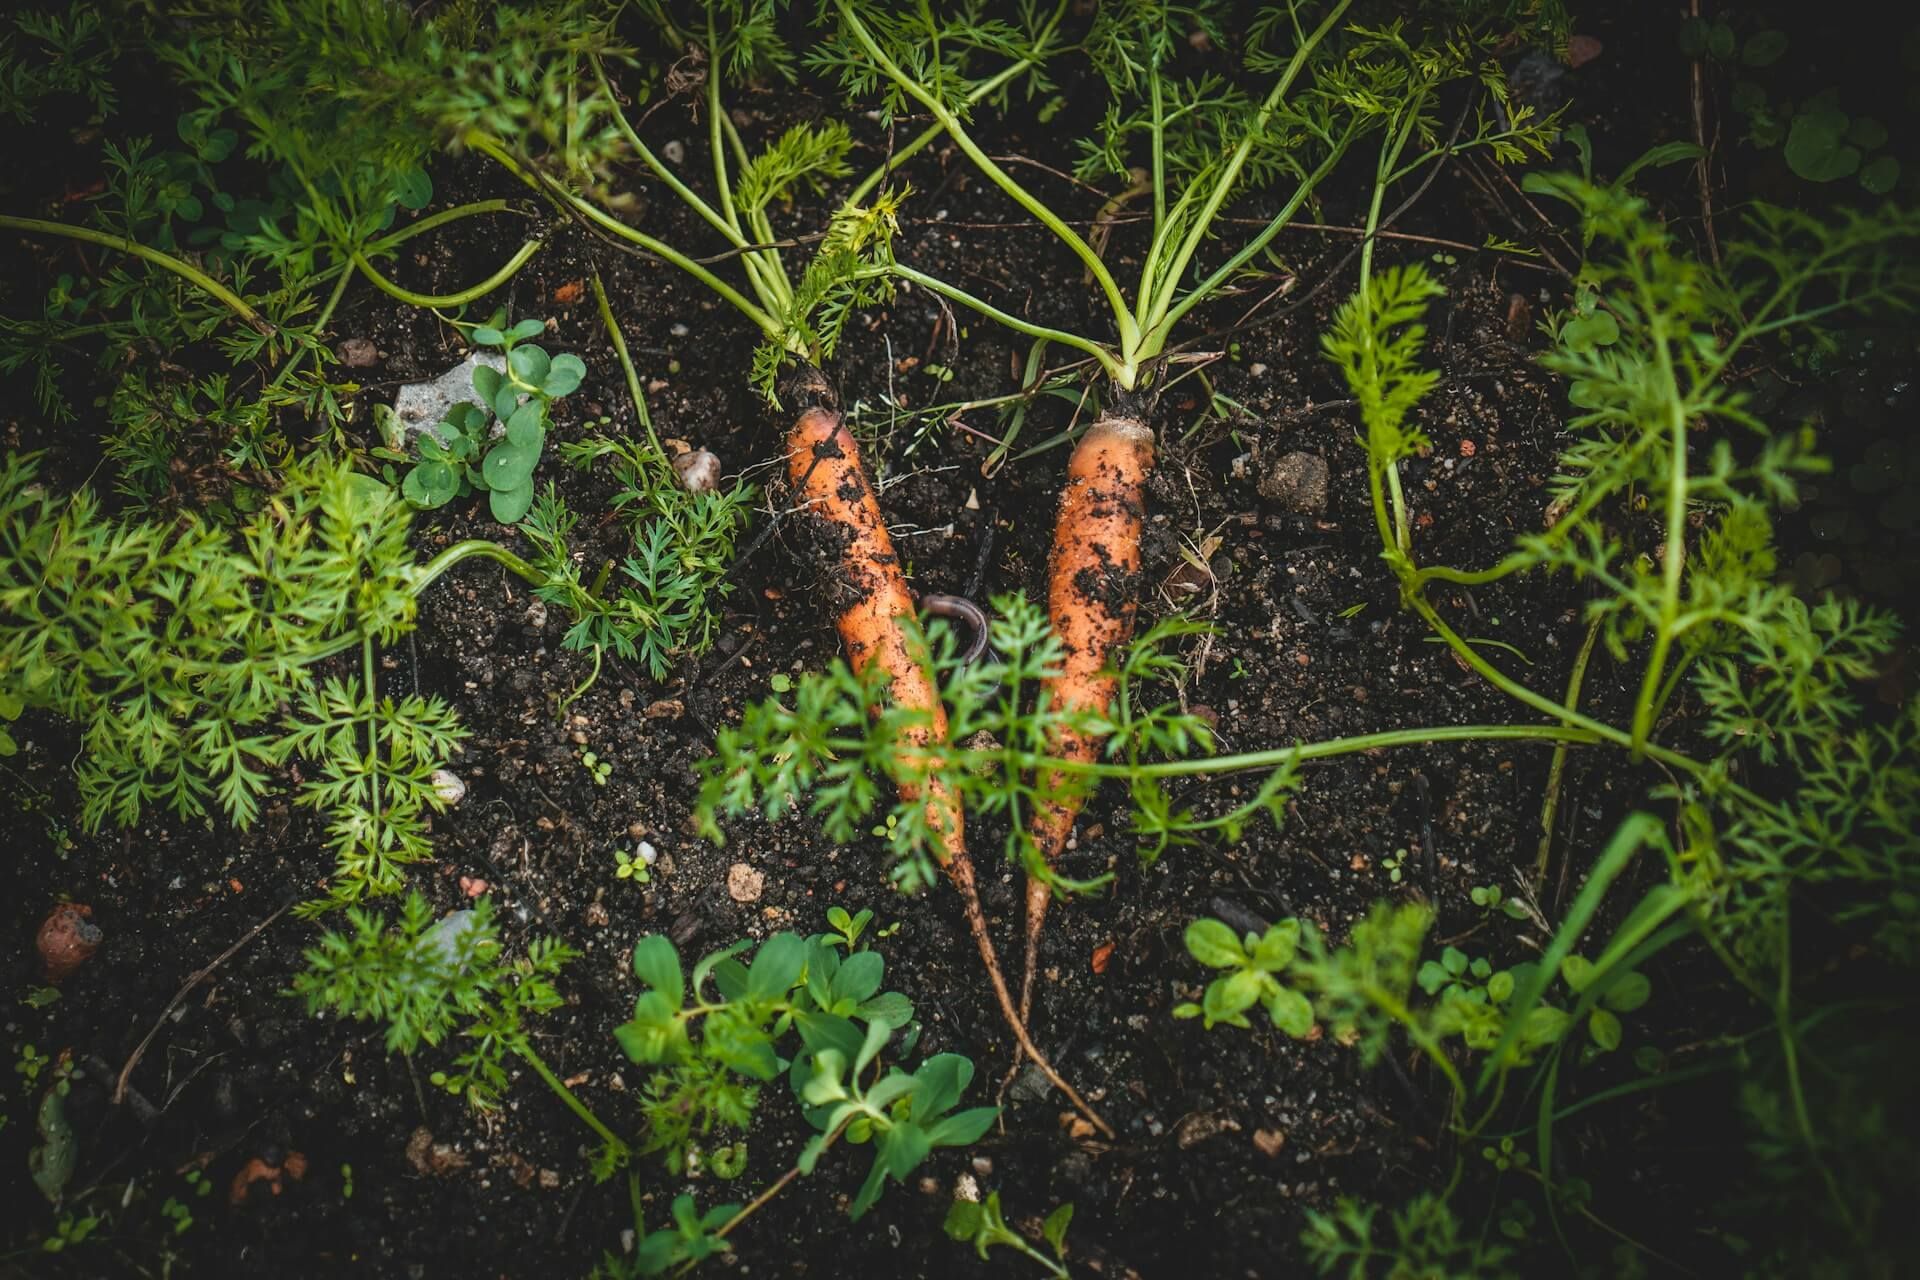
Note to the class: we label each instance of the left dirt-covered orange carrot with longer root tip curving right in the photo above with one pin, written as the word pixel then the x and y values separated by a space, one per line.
pixel 873 611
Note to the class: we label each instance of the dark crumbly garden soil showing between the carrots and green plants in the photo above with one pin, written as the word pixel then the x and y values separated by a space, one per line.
pixel 1226 1139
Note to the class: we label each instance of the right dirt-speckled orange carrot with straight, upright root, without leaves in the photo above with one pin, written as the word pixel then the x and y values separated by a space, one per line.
pixel 1092 596
